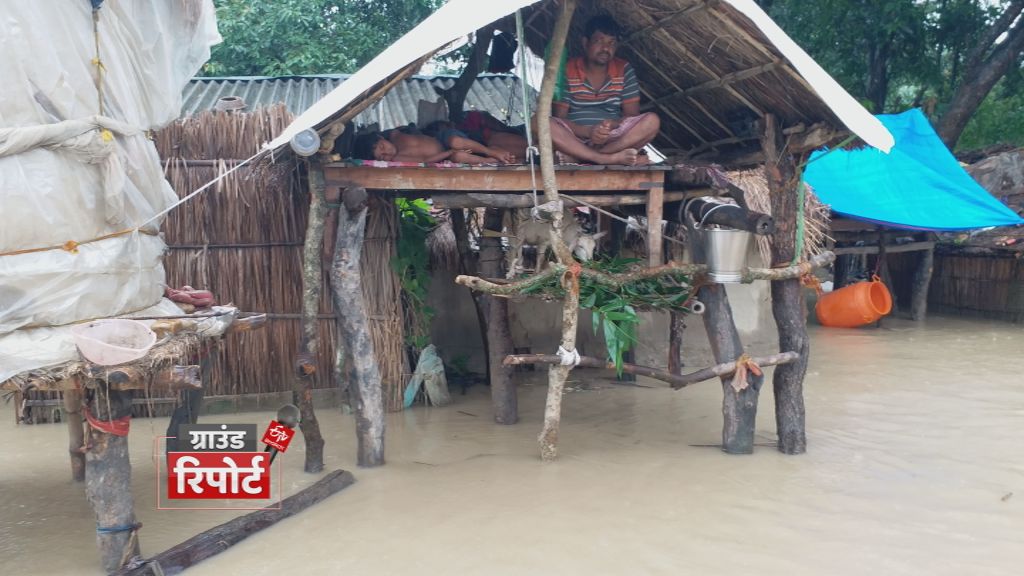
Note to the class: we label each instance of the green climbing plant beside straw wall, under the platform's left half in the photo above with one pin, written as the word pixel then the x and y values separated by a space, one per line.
pixel 411 265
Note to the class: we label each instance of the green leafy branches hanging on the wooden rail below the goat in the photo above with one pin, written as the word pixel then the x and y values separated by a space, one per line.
pixel 615 310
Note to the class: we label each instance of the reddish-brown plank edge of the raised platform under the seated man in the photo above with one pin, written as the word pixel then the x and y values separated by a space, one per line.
pixel 478 181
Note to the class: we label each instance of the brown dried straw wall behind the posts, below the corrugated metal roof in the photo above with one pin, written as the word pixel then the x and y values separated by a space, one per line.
pixel 243 240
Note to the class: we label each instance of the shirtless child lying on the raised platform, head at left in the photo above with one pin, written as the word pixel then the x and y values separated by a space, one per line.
pixel 408 145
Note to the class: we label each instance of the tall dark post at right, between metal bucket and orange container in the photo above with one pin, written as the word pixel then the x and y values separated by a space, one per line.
pixel 787 296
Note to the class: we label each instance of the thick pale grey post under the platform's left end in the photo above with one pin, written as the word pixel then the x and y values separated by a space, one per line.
pixel 348 289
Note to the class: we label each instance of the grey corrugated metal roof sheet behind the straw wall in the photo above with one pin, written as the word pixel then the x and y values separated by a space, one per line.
pixel 497 94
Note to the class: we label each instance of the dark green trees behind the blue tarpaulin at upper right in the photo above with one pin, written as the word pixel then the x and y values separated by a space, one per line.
pixel 959 60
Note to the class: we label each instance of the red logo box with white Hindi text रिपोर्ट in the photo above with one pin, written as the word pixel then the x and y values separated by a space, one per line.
pixel 219 475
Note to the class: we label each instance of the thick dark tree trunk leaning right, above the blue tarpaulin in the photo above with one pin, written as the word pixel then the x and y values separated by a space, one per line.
pixel 978 81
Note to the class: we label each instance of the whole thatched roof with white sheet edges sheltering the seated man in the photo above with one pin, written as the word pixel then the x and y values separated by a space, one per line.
pixel 709 67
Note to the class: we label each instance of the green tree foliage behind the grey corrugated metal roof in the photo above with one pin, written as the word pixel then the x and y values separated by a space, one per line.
pixel 295 37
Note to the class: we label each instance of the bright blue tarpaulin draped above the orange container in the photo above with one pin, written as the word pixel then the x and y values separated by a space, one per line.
pixel 920 185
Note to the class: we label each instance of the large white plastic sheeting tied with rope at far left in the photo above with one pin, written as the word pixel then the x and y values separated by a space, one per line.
pixel 71 173
